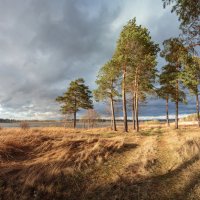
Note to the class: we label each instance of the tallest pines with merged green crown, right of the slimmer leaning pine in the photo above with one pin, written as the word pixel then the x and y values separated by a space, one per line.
pixel 136 53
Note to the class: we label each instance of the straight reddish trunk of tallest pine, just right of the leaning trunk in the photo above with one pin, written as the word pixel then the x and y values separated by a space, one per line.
pixel 124 100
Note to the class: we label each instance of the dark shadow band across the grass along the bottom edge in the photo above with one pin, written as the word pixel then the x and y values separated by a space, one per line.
pixel 62 186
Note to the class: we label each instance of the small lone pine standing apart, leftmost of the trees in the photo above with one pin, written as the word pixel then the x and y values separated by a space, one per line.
pixel 76 97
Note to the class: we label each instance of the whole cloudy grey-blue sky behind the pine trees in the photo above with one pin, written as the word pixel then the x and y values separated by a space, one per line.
pixel 45 44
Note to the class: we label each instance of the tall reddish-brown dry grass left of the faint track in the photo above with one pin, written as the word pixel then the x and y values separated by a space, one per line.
pixel 36 158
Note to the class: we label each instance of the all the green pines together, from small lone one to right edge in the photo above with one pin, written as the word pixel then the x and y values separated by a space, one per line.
pixel 132 69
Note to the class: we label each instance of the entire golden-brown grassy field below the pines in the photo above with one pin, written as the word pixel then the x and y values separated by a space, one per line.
pixel 57 163
